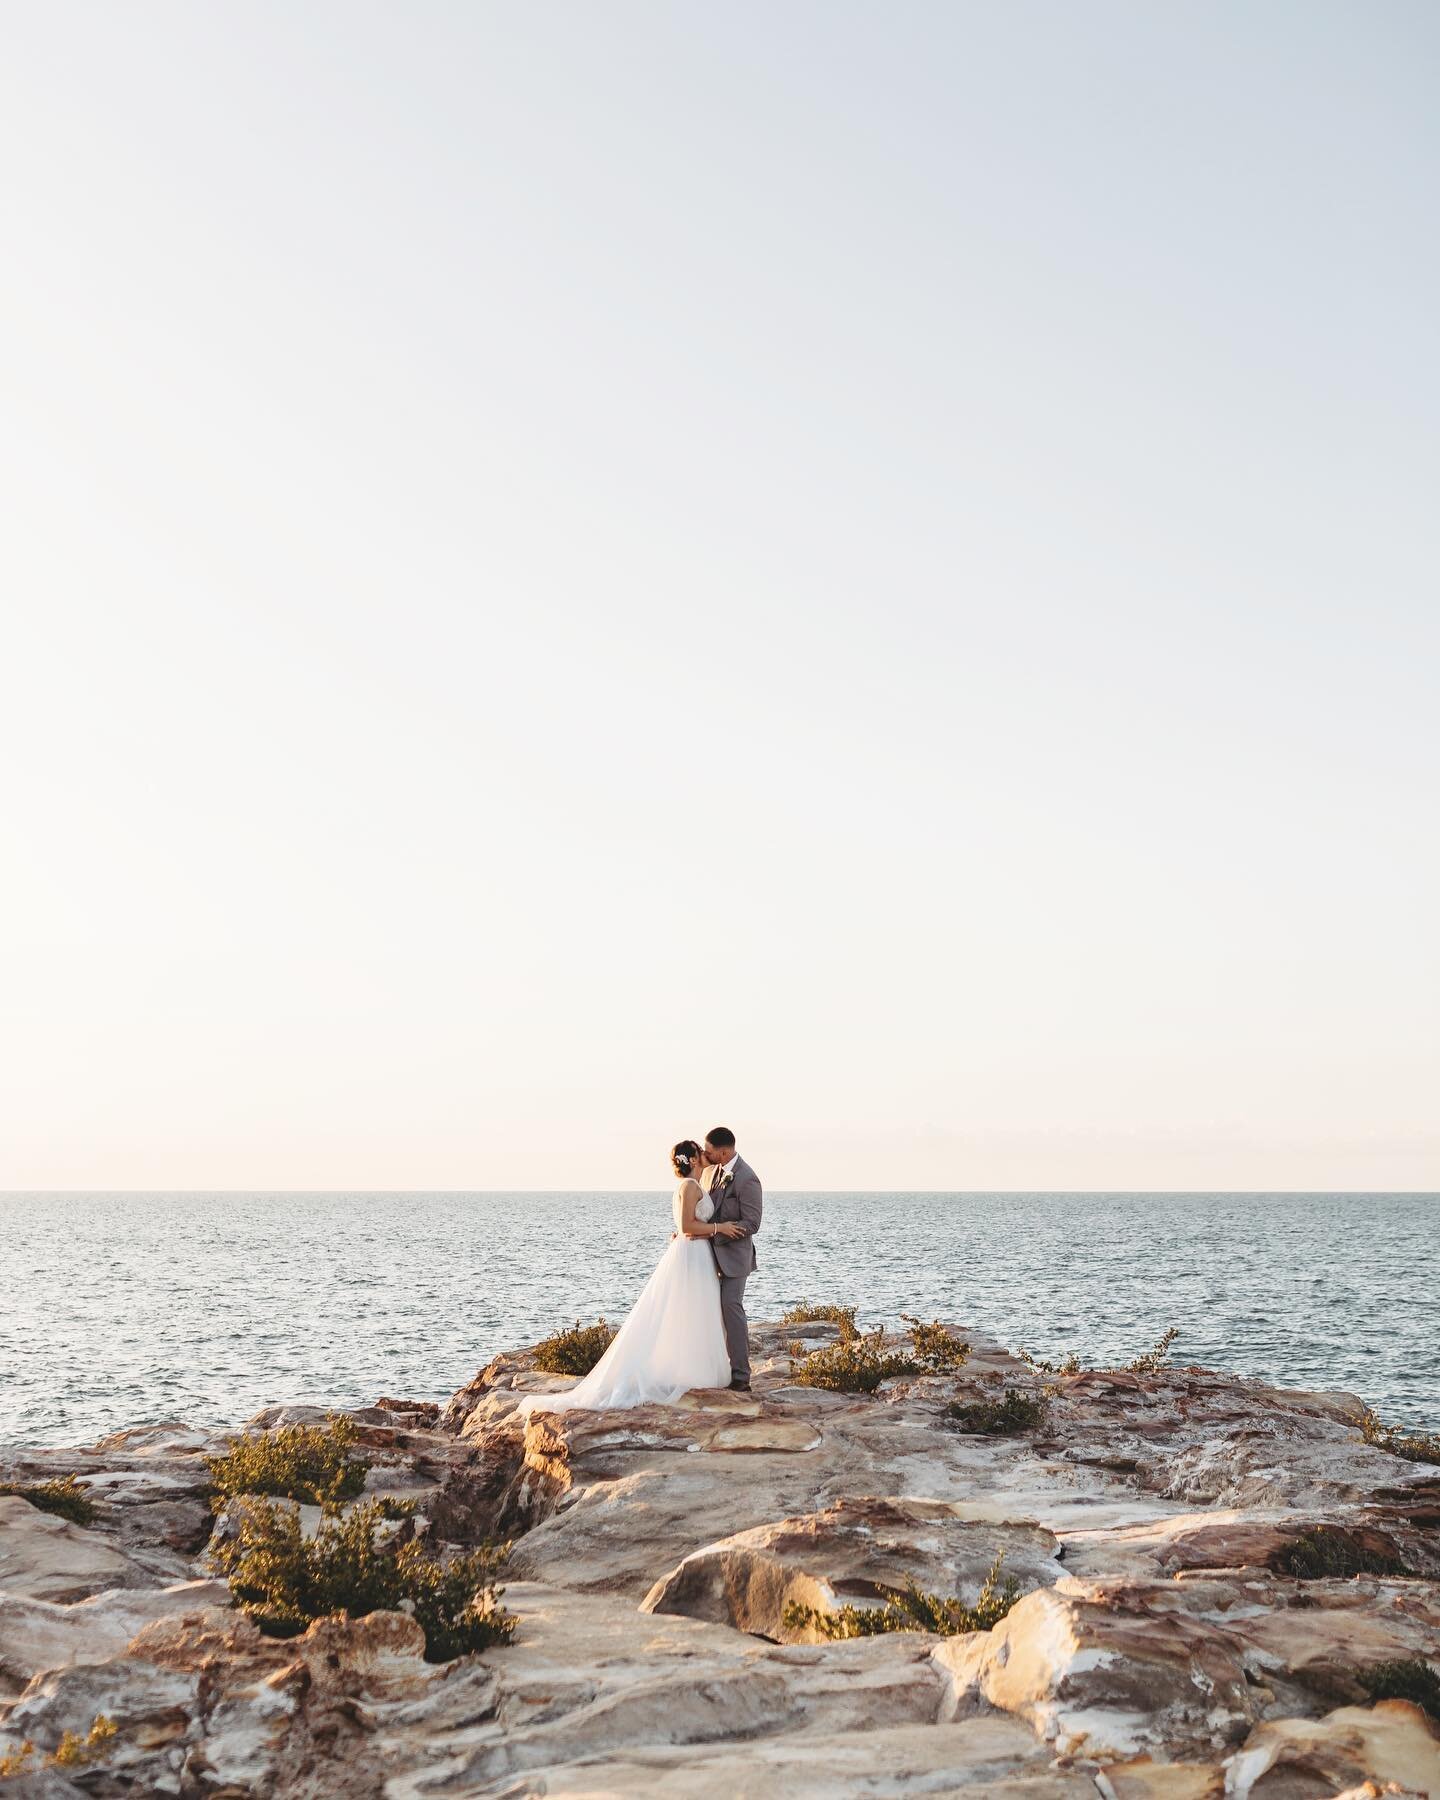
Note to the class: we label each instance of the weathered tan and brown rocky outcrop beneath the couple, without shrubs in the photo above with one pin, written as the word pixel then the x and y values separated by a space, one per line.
pixel 1158 1650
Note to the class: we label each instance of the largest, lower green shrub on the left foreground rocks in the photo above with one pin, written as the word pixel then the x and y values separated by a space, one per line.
pixel 285 1581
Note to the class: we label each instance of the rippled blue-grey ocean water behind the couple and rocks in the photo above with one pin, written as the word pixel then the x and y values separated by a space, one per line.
pixel 121 1309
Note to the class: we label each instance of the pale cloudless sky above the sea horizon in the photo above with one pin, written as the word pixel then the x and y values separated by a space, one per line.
pixel 582 571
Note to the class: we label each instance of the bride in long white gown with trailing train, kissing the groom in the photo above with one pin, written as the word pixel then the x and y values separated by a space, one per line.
pixel 674 1338
